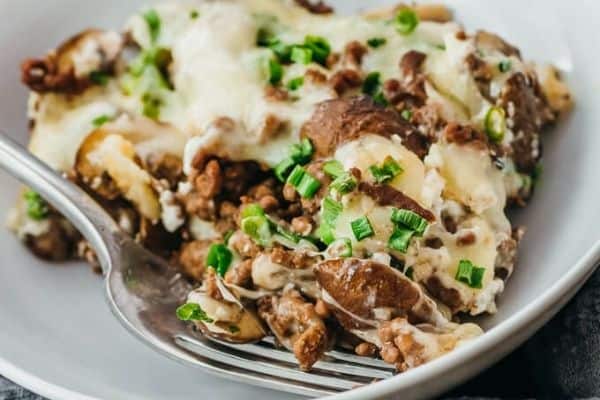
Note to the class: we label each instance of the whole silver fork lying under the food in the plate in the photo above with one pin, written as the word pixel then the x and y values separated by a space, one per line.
pixel 143 292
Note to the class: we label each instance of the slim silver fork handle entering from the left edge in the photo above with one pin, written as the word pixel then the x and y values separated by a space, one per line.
pixel 77 206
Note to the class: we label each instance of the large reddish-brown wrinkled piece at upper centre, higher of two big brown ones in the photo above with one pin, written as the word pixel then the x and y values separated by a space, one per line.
pixel 340 120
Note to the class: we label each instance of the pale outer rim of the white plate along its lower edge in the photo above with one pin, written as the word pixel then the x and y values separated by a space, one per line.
pixel 490 343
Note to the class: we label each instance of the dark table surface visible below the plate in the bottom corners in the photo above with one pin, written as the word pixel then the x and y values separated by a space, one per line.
pixel 561 361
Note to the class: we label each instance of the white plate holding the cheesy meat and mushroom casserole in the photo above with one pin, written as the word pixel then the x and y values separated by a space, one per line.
pixel 58 338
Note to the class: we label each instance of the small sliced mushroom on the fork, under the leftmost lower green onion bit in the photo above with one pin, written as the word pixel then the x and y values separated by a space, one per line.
pixel 228 319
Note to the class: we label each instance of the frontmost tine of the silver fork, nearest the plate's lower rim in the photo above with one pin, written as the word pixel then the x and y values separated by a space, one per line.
pixel 271 368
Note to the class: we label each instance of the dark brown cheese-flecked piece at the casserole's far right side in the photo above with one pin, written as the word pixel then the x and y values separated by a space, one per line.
pixel 527 112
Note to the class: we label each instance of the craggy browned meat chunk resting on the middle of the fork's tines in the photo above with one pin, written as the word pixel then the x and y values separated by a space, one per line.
pixel 296 325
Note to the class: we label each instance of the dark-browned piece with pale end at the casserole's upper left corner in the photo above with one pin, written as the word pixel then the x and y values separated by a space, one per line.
pixel 57 72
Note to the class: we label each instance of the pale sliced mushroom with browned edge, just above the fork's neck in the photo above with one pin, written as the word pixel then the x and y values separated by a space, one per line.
pixel 103 153
